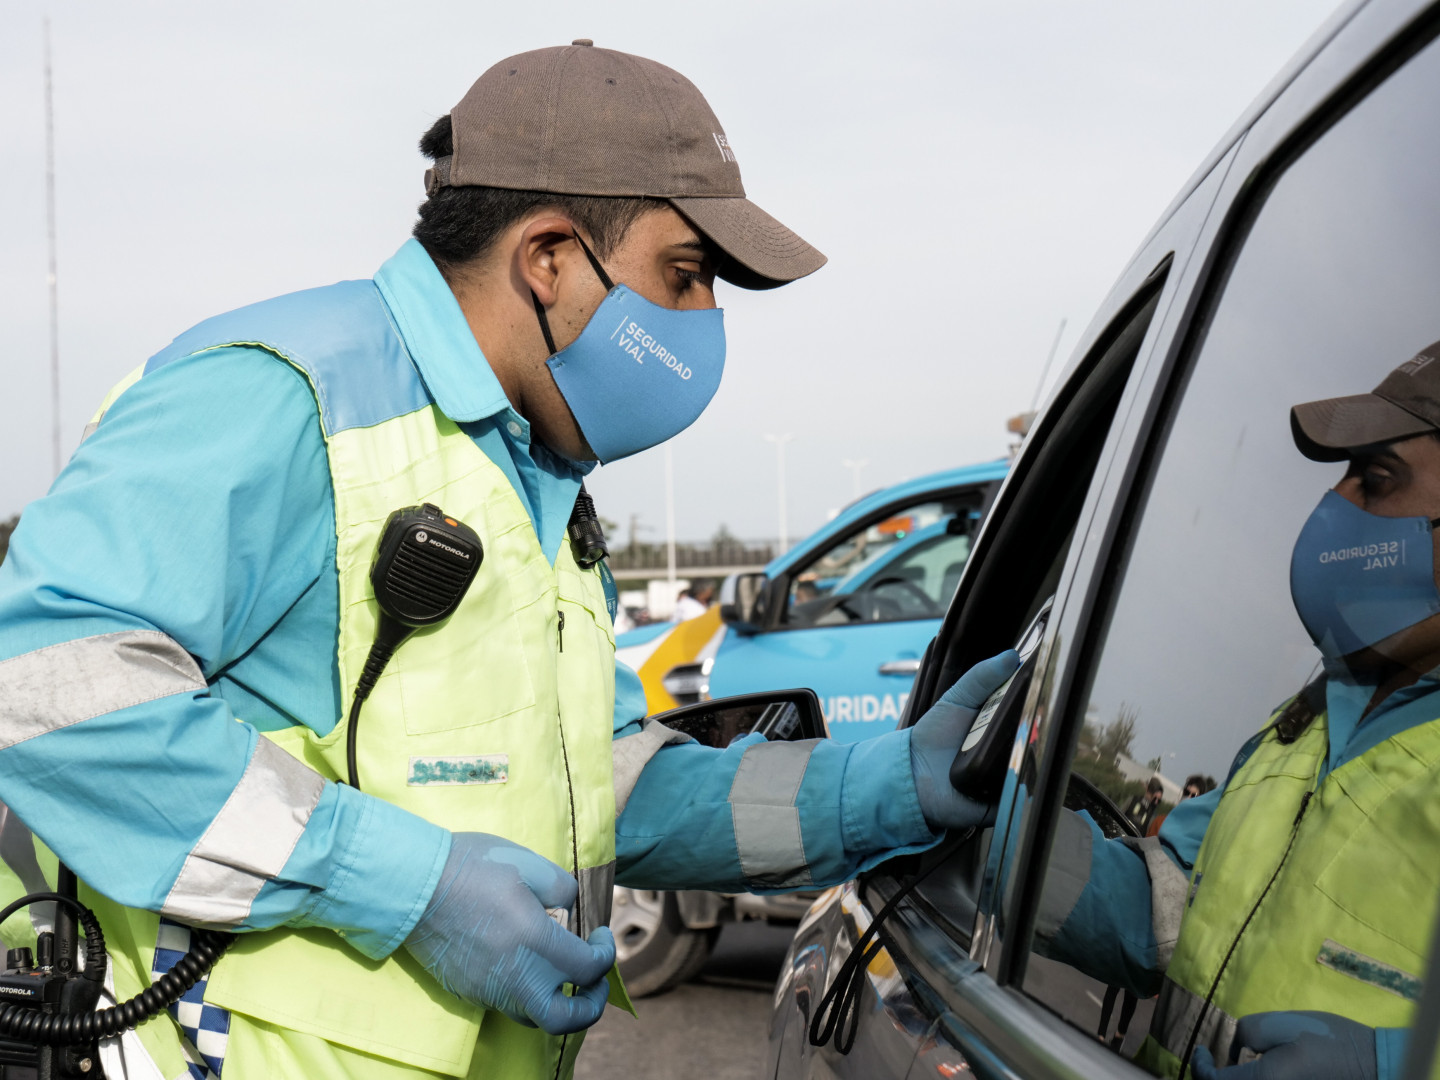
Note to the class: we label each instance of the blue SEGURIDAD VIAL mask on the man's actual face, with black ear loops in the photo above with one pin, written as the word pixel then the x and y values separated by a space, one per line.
pixel 639 374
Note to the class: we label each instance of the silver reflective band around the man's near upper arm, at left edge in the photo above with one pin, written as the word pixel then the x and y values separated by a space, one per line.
pixel 63 685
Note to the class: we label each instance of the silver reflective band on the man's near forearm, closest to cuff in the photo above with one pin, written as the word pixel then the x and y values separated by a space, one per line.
pixel 248 842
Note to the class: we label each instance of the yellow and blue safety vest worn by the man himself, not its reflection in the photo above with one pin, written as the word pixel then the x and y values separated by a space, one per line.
pixel 523 675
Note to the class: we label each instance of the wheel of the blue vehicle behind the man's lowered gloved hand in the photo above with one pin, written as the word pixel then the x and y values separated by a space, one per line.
pixel 654 948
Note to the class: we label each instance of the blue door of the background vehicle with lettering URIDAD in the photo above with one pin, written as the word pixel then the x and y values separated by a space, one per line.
pixel 855 613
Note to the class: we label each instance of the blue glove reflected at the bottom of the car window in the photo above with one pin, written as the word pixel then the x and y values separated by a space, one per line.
pixel 1295 1046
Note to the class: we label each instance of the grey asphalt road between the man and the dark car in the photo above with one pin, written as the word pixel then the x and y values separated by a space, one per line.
pixel 714 1029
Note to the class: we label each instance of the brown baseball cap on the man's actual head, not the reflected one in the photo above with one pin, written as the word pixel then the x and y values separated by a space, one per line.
pixel 578 120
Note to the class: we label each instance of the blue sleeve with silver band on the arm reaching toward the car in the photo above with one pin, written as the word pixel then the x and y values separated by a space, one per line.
pixel 757 817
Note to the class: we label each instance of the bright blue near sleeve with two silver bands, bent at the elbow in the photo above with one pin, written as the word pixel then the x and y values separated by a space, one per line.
pixel 181 534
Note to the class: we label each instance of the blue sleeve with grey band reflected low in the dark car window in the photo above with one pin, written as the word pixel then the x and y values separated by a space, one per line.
pixel 1112 908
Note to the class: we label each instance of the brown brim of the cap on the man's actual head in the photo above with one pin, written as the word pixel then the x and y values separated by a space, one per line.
pixel 762 253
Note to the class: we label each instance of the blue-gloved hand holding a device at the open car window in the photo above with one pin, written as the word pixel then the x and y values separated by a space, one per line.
pixel 937 739
